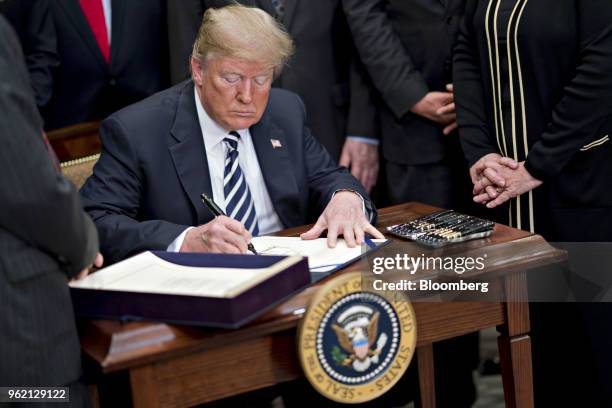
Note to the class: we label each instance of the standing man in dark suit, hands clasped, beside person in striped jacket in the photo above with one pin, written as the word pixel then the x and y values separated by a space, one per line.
pixel 406 47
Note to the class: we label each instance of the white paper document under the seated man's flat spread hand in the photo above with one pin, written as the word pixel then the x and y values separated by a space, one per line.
pixel 321 258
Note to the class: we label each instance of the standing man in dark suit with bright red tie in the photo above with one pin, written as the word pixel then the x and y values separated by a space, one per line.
pixel 112 54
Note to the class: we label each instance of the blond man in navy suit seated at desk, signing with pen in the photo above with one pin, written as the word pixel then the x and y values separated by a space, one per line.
pixel 226 134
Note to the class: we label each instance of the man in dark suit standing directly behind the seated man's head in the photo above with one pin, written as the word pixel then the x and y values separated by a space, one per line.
pixel 324 71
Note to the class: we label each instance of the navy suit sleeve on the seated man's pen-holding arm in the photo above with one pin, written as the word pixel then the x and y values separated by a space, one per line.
pixel 112 197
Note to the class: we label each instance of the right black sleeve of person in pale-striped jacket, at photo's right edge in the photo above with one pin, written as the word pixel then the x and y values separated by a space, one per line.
pixel 585 104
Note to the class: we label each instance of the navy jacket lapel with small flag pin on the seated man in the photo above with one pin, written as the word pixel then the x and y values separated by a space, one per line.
pixel 276 166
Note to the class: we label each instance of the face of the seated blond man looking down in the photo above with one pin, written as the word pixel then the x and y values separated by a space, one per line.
pixel 233 91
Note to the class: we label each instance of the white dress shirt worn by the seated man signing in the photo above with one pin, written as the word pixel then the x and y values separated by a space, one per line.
pixel 216 152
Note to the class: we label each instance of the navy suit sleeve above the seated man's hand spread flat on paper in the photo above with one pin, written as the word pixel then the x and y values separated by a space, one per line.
pixel 325 177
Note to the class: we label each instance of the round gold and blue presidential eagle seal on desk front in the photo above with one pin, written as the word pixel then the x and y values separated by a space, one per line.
pixel 355 345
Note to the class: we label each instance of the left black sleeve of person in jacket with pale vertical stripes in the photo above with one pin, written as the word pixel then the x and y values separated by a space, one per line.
pixel 469 93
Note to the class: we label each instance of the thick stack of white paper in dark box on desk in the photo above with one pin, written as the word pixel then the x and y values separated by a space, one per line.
pixel 147 273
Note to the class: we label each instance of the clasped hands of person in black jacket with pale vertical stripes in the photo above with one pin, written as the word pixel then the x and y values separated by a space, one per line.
pixel 497 179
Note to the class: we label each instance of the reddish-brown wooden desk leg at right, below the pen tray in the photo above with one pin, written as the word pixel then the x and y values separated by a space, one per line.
pixel 515 345
